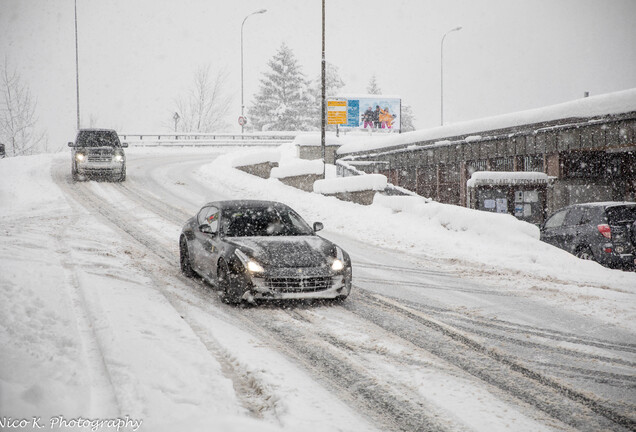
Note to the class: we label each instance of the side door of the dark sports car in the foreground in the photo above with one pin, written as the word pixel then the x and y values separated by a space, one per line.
pixel 206 242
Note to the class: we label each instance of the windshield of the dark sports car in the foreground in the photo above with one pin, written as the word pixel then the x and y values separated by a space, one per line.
pixel 263 221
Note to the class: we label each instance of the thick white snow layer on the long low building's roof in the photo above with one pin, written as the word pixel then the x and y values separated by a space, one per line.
pixel 612 103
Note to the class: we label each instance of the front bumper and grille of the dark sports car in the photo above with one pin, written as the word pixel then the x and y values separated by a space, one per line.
pixel 292 284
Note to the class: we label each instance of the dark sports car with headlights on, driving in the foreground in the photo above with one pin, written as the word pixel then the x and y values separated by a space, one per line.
pixel 255 250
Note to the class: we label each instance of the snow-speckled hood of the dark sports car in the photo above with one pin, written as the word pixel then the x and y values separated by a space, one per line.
pixel 292 251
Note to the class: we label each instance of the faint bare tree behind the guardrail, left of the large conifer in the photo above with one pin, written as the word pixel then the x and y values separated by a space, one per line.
pixel 206 106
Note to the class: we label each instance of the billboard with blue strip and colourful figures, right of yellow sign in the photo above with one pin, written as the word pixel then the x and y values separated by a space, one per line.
pixel 375 112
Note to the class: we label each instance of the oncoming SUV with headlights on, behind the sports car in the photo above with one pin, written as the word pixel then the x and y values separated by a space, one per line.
pixel 98 153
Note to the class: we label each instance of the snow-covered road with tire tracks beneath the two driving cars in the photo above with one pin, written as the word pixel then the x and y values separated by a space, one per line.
pixel 102 325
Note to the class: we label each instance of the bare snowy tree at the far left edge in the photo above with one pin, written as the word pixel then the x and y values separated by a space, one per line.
pixel 17 116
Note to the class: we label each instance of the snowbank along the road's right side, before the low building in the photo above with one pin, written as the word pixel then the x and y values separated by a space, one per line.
pixel 497 248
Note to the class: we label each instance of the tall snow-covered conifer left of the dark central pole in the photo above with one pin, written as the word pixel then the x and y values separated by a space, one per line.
pixel 283 101
